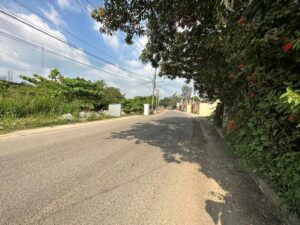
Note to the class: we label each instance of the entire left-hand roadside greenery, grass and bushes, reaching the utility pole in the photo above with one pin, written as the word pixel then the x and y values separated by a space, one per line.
pixel 42 101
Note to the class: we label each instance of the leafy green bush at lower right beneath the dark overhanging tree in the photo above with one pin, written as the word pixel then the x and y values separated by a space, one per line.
pixel 267 135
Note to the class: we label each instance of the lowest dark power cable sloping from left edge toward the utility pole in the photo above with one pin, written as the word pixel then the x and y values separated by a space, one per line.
pixel 61 55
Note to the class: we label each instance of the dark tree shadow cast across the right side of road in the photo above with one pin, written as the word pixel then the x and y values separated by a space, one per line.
pixel 194 140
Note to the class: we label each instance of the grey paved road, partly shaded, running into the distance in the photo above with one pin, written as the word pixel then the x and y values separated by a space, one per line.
pixel 159 170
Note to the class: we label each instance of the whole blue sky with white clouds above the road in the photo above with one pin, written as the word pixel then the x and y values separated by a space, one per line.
pixel 59 18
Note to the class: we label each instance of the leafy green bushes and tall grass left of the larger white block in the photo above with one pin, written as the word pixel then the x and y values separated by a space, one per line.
pixel 54 95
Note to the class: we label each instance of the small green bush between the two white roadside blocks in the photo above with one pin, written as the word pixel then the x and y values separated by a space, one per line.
pixel 136 104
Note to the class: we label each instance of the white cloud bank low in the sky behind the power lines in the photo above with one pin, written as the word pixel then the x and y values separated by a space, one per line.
pixel 22 59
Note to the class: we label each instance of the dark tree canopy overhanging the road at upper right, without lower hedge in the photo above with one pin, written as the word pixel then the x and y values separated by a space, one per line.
pixel 199 40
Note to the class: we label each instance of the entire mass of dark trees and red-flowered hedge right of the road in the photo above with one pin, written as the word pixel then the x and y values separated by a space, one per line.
pixel 244 53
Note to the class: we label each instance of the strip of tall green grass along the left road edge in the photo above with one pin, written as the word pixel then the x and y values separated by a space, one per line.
pixel 24 112
